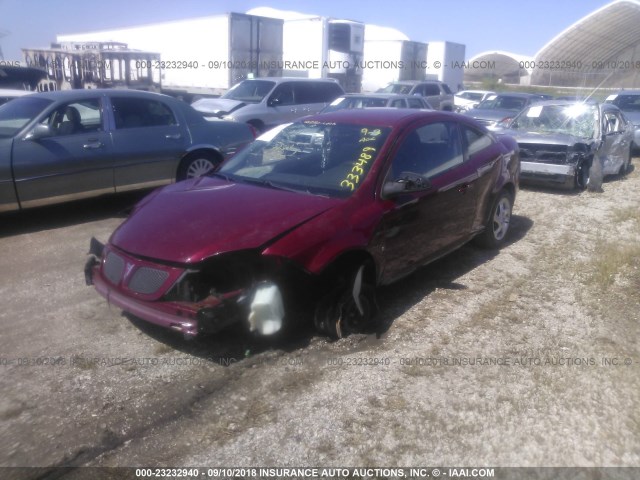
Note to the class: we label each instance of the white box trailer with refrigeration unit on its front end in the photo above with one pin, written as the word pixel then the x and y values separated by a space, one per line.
pixel 320 47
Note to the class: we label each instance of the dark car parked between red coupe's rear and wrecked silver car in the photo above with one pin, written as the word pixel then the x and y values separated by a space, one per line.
pixel 500 108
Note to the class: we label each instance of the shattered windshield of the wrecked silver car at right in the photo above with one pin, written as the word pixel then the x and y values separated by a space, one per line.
pixel 577 119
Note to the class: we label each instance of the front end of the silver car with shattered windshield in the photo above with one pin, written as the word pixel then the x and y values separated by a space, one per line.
pixel 556 164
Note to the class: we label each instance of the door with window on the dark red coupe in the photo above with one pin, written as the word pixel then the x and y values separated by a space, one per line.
pixel 426 223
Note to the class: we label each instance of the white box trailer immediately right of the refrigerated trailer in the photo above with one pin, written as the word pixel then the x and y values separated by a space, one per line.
pixel 390 56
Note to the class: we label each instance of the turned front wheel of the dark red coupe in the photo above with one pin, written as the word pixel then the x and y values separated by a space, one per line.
pixel 337 314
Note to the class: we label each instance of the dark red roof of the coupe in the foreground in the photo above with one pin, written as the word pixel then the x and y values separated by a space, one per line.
pixel 380 117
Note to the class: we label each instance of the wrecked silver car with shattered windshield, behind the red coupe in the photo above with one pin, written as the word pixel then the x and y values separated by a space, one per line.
pixel 561 141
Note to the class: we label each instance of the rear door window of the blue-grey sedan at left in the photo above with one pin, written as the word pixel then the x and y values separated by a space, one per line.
pixel 141 112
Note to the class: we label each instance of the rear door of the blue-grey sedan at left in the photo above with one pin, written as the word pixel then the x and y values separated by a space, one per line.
pixel 148 141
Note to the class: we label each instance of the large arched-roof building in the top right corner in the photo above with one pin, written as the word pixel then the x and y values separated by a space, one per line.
pixel 600 50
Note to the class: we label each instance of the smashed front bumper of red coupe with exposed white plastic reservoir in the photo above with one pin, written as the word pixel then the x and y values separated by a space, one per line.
pixel 239 287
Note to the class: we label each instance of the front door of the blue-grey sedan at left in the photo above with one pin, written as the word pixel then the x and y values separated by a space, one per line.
pixel 68 156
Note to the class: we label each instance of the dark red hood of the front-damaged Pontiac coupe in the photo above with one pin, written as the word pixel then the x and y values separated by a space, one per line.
pixel 190 221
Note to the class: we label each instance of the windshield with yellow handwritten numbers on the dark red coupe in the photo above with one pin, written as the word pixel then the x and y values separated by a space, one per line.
pixel 318 158
